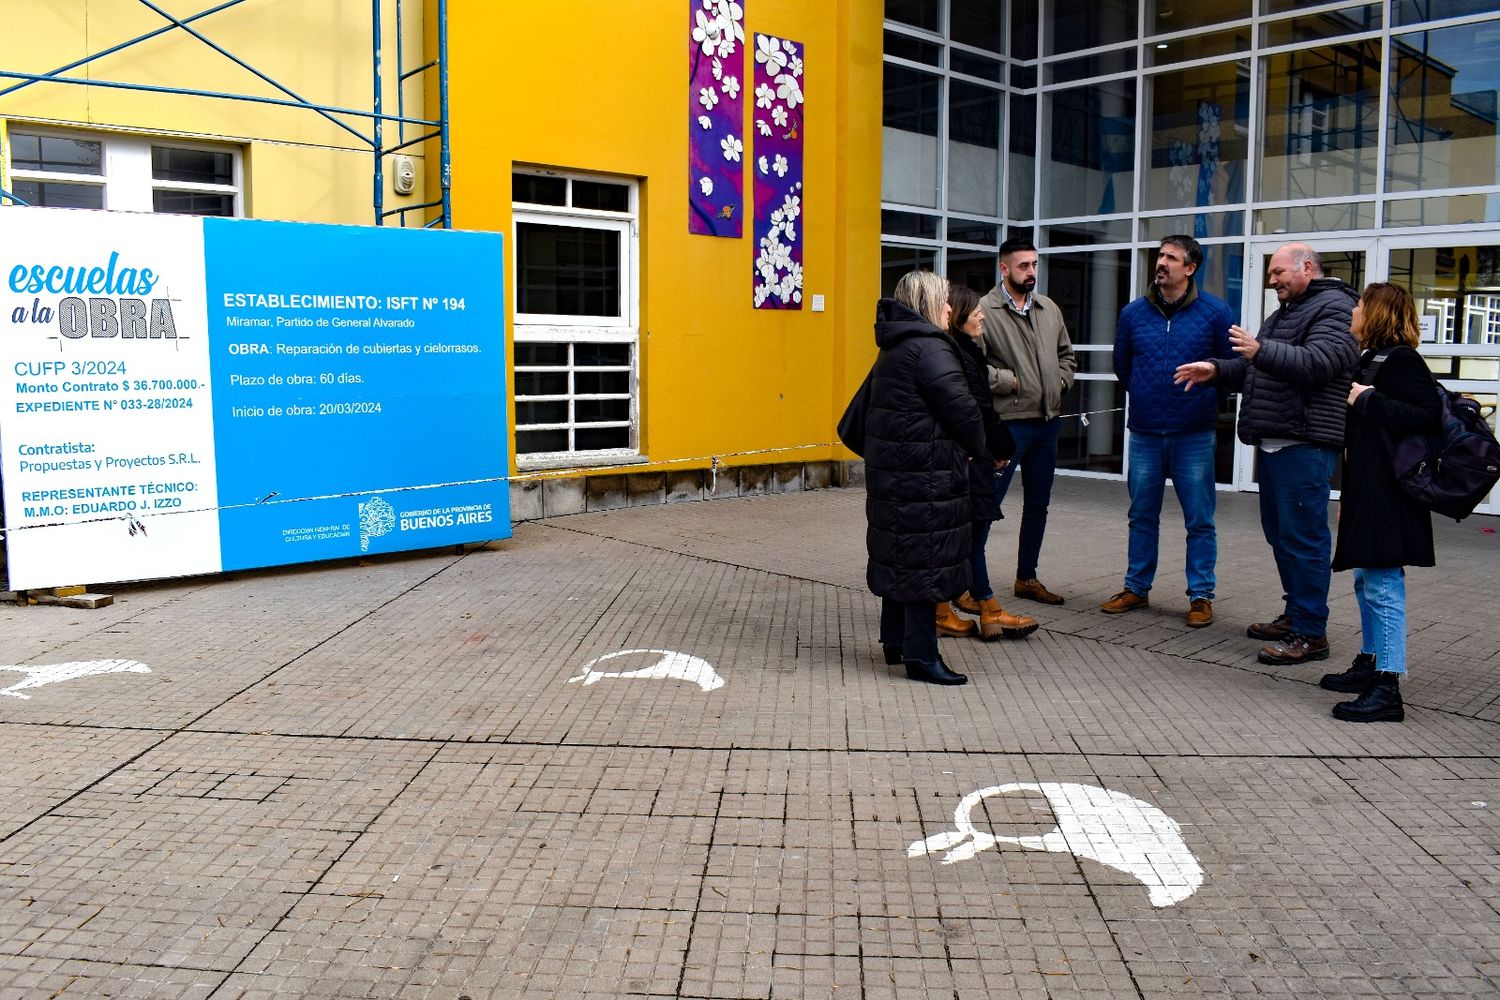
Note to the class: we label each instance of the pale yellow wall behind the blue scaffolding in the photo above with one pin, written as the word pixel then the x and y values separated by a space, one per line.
pixel 299 166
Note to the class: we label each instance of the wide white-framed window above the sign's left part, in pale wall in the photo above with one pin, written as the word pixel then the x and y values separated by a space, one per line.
pixel 124 173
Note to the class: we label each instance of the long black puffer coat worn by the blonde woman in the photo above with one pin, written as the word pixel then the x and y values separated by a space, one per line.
pixel 920 434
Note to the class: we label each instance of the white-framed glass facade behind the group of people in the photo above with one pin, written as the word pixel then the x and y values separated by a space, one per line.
pixel 1100 127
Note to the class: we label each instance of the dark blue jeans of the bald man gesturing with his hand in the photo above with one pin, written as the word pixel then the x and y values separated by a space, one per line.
pixel 1294 516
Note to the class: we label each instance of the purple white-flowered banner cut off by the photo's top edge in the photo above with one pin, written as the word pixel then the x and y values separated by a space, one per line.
pixel 716 118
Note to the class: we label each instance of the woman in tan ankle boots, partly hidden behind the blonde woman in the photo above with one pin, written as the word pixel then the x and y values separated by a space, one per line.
pixel 967 329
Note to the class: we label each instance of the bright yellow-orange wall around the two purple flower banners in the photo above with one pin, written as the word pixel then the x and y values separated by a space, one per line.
pixel 602 86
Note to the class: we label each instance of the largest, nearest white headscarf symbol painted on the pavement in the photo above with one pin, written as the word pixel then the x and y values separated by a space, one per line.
pixel 1109 827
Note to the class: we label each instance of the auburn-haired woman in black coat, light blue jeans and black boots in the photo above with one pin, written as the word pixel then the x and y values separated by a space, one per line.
pixel 1382 530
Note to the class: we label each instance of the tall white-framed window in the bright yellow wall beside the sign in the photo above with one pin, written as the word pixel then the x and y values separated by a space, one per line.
pixel 577 319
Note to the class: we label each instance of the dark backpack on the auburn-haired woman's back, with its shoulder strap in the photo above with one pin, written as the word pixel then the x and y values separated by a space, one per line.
pixel 1453 472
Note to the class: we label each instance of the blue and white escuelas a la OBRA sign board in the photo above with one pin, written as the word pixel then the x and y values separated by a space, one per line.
pixel 214 395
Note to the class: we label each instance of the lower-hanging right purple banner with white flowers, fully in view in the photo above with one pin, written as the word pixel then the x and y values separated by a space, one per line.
pixel 778 173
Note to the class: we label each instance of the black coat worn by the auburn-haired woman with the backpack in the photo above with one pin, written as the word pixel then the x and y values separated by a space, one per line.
pixel 1379 525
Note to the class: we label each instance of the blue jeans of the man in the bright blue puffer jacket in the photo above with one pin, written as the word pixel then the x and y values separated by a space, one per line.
pixel 1187 460
